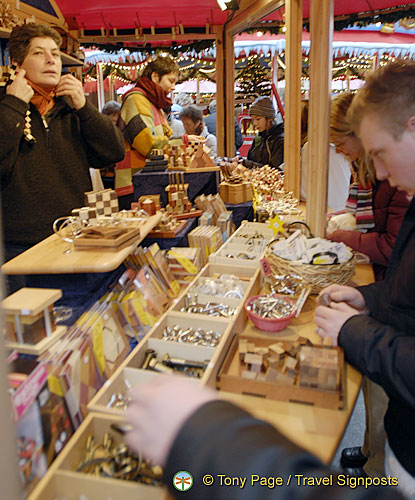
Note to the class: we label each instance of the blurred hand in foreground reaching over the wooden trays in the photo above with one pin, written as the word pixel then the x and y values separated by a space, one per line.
pixel 158 410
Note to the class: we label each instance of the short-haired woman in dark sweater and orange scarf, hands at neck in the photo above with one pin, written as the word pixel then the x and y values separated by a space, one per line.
pixel 44 168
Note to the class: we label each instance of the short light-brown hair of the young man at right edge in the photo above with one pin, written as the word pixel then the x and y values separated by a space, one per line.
pixel 389 92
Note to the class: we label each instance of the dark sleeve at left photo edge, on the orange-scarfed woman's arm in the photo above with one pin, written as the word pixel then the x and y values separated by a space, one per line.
pixel 12 119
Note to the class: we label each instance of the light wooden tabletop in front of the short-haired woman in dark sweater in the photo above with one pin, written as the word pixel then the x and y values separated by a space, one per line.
pixel 48 257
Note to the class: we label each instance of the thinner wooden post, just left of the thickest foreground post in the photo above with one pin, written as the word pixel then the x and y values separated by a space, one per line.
pixel 293 60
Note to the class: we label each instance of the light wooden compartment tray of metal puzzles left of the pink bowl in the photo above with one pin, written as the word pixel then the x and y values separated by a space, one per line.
pixel 130 372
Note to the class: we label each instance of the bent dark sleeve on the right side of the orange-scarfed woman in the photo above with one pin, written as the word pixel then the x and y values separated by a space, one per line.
pixel 104 143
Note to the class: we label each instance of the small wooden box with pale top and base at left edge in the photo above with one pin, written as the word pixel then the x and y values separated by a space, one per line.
pixel 29 325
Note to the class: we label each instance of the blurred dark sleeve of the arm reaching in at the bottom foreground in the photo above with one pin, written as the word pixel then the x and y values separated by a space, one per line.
pixel 222 440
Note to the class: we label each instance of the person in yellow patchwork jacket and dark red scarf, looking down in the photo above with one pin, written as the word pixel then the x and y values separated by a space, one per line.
pixel 143 121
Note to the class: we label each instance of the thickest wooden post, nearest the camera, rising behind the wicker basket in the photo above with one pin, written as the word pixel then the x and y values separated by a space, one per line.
pixel 321 35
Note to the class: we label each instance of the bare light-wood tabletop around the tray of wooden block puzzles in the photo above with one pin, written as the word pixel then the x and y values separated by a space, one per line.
pixel 318 430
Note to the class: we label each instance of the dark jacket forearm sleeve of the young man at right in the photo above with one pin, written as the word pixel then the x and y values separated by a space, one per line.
pixel 382 353
